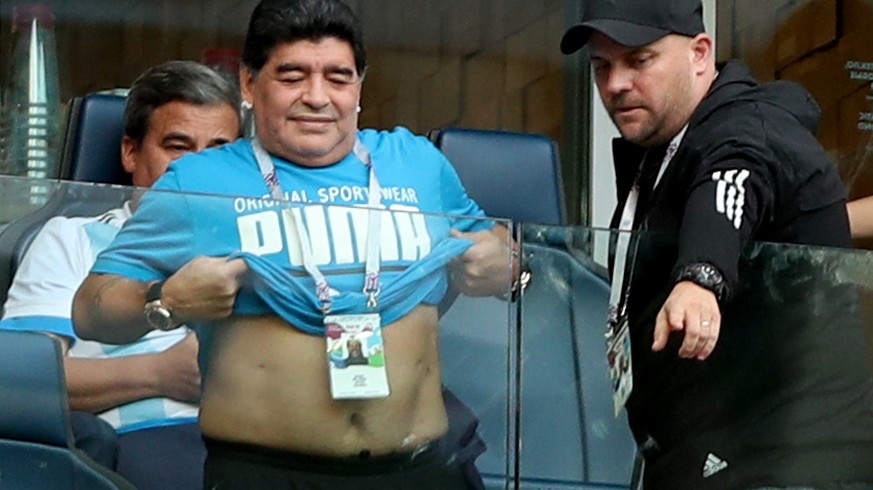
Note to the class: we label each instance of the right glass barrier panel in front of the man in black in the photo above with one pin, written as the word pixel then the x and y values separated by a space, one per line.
pixel 789 381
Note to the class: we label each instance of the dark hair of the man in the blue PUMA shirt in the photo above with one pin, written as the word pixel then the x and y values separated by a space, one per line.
pixel 284 21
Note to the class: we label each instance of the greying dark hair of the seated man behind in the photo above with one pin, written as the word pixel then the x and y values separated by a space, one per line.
pixel 174 81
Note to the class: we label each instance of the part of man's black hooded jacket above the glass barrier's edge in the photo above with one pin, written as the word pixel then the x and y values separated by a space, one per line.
pixel 765 129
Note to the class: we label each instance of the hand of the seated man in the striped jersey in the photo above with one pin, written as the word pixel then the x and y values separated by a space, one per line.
pixel 178 375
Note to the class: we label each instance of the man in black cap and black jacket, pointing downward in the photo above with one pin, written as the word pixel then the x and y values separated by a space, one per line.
pixel 733 386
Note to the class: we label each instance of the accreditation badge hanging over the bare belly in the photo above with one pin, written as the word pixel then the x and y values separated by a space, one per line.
pixel 356 356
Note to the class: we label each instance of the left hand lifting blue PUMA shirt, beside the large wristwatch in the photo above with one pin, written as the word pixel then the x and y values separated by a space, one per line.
pixel 204 289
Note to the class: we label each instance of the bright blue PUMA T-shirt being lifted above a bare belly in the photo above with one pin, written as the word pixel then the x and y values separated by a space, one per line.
pixel 170 229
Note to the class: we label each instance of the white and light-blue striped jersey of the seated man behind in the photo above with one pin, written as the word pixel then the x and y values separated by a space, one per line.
pixel 54 266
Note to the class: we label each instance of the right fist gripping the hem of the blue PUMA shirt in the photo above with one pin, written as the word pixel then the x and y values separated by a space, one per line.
pixel 486 267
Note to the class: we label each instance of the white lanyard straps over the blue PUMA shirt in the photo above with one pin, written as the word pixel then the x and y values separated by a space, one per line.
pixel 372 286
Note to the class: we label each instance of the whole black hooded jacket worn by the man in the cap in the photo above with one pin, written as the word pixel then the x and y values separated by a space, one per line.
pixel 749 168
